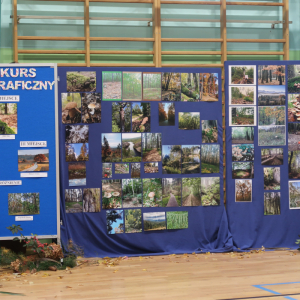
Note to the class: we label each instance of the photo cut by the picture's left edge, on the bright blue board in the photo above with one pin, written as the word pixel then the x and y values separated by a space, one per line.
pixel 8 118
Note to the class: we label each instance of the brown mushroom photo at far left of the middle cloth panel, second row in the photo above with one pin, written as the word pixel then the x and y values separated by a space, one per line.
pixel 71 108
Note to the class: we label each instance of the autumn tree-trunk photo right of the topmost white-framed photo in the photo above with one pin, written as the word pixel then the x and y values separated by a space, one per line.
pixel 271 75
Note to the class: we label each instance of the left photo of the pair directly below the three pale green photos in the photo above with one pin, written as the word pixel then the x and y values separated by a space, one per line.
pixel 121 117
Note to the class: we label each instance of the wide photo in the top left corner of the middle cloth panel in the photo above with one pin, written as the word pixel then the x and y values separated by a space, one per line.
pixel 81 81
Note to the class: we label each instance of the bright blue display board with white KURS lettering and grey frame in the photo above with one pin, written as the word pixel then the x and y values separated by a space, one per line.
pixel 29 151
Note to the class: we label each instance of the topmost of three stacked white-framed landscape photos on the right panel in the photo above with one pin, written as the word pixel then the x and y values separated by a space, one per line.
pixel 242 75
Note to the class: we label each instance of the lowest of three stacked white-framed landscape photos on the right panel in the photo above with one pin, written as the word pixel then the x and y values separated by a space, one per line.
pixel 241 115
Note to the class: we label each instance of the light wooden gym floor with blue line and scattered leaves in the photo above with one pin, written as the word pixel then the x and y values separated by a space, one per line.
pixel 184 277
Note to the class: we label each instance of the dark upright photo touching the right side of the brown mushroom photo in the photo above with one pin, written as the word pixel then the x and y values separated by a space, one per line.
pixel 91 107
